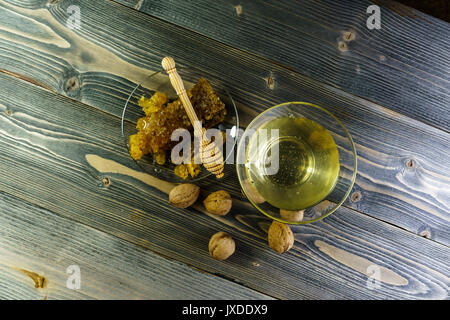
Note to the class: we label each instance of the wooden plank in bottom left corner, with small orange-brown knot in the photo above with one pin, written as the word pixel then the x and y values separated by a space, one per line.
pixel 32 238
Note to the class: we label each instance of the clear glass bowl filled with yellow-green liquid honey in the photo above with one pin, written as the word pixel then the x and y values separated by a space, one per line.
pixel 335 190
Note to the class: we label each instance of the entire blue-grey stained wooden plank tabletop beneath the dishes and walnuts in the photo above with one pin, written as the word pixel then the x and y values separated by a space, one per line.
pixel 71 196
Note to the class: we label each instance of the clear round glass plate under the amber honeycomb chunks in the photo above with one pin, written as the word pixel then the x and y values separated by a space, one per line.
pixel 159 81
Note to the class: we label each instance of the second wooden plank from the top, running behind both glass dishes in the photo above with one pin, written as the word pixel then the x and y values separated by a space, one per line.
pixel 100 68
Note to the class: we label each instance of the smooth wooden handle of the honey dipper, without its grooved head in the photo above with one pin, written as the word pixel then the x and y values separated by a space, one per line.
pixel 169 65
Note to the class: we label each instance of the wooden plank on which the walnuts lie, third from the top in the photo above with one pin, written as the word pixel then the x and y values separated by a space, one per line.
pixel 56 153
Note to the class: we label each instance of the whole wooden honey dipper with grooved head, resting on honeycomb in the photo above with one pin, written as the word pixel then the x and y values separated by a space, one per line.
pixel 212 157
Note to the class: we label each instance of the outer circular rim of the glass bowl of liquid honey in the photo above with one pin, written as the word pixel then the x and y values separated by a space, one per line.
pixel 355 156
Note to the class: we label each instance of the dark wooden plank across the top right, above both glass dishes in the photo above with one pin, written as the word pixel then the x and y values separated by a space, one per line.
pixel 403 66
